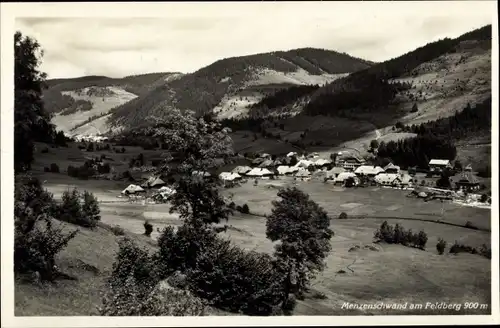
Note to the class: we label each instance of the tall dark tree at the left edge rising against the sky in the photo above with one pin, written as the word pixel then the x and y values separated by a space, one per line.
pixel 31 123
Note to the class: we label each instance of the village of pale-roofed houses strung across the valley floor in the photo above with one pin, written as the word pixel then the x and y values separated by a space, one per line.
pixel 344 170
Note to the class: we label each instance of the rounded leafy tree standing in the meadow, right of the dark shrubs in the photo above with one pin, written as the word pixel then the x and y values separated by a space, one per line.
pixel 302 227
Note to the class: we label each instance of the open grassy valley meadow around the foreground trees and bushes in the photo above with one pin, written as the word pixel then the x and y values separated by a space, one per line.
pixel 385 273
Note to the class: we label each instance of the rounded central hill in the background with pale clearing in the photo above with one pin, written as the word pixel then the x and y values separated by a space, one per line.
pixel 230 85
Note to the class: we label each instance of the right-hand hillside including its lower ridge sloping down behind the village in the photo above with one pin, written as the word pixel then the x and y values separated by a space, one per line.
pixel 430 83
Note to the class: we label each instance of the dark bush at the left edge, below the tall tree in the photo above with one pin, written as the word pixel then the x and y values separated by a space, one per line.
pixel 36 240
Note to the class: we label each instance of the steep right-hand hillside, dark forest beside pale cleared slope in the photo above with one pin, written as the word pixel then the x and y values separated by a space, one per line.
pixel 445 69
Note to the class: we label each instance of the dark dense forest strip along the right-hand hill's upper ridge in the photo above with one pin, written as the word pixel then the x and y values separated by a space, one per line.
pixel 377 86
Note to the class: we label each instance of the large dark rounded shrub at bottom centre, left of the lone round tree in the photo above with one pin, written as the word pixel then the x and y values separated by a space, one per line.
pixel 237 280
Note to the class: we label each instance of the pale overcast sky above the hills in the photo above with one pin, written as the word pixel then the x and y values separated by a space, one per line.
pixel 124 46
